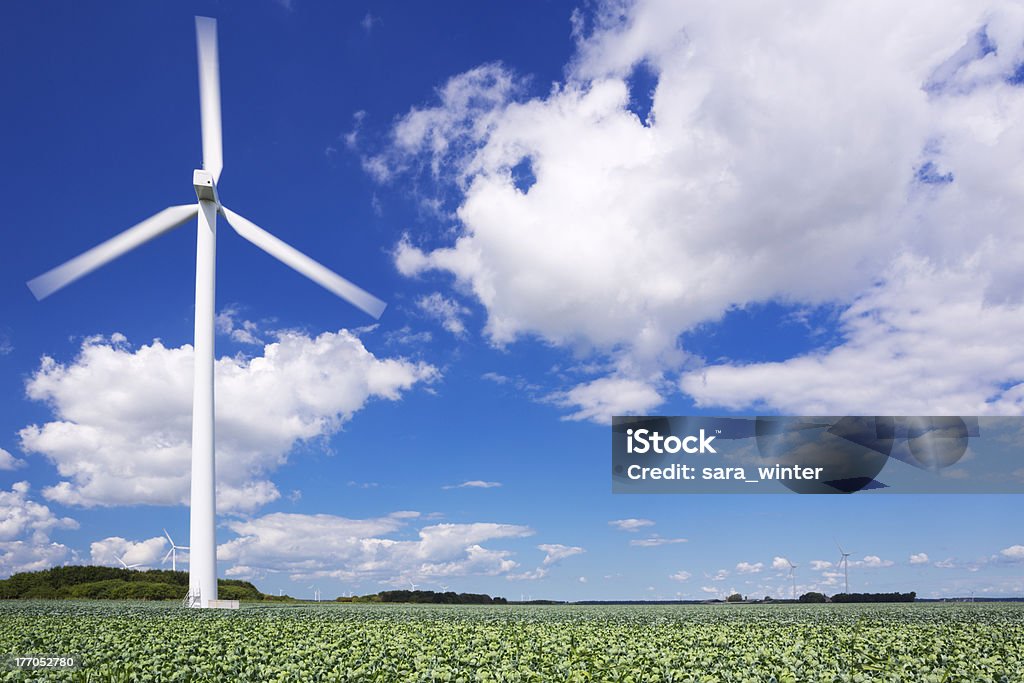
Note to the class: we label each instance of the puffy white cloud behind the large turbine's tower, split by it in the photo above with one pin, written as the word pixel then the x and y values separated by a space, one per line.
pixel 122 434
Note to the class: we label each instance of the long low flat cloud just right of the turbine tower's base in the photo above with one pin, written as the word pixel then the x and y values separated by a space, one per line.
pixel 329 546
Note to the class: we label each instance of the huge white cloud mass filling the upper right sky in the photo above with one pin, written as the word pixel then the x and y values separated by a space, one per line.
pixel 850 141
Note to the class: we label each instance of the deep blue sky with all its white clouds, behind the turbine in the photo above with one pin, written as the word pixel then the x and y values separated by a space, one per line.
pixel 574 211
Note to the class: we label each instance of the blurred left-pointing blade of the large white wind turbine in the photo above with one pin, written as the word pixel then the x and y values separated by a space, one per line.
pixel 101 255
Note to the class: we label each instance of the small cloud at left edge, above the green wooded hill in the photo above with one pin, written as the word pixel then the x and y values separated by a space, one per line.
pixel 25 533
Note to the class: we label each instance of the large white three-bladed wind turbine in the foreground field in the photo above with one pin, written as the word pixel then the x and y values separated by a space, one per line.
pixel 202 535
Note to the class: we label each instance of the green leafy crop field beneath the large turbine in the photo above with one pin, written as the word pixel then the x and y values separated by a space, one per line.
pixel 376 643
